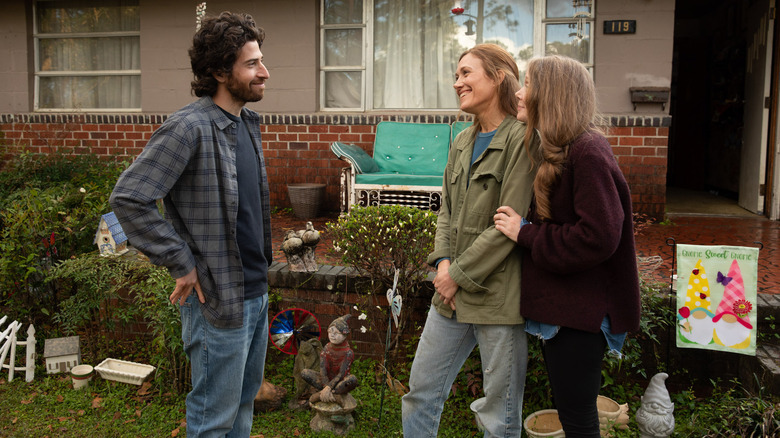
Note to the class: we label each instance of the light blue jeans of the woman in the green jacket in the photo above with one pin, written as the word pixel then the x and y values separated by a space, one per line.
pixel 444 346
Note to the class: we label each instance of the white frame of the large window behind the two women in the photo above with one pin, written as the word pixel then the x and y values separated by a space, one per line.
pixel 367 67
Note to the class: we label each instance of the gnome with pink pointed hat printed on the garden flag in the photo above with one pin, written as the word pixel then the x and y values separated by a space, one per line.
pixel 732 322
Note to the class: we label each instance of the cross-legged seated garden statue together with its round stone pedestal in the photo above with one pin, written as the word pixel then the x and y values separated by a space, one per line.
pixel 332 402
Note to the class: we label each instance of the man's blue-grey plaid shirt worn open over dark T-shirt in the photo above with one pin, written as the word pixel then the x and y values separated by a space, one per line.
pixel 190 163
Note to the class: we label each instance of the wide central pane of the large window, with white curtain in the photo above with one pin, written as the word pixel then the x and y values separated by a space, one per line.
pixel 417 44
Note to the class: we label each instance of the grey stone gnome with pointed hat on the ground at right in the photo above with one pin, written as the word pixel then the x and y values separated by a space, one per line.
pixel 655 416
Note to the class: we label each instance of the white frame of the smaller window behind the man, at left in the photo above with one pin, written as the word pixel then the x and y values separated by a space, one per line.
pixel 37 37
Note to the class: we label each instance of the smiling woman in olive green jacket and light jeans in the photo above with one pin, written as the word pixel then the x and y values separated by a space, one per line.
pixel 477 299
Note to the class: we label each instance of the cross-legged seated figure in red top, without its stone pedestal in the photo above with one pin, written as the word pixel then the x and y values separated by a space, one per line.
pixel 334 379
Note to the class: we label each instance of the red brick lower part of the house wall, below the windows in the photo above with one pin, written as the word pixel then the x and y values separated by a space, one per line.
pixel 297 147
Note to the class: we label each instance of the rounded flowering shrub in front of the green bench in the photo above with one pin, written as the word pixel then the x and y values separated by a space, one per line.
pixel 376 240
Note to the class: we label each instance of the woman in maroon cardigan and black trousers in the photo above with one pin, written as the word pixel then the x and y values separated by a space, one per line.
pixel 580 283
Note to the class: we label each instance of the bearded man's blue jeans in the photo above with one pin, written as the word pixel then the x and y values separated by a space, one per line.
pixel 227 369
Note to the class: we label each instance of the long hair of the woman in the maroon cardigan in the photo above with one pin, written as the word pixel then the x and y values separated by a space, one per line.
pixel 561 104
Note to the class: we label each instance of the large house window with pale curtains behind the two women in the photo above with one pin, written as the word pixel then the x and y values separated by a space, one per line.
pixel 402 54
